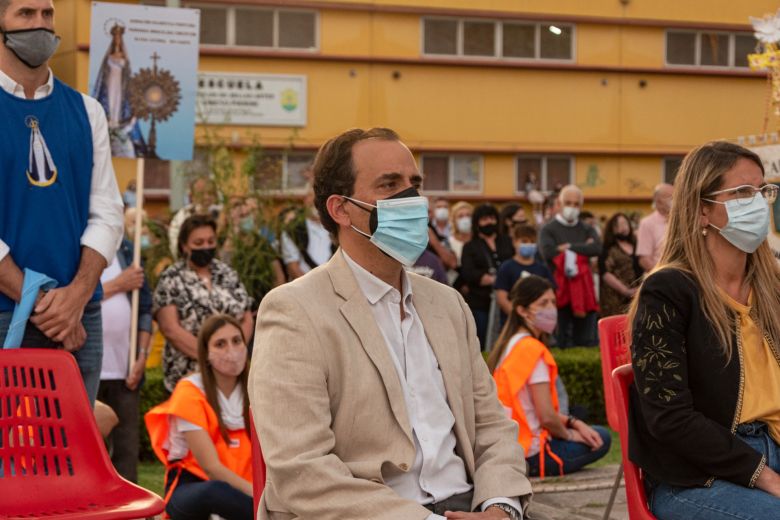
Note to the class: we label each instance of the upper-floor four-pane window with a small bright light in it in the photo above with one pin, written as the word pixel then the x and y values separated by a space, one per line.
pixel 472 38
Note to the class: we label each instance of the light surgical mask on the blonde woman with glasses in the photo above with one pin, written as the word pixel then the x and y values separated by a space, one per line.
pixel 748 225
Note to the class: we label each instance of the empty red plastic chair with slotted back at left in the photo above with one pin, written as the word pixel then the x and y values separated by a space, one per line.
pixel 53 463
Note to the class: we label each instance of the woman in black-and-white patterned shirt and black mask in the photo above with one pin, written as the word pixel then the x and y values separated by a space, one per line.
pixel 196 287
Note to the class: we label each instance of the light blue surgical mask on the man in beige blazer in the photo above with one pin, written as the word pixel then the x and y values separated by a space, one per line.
pixel 398 225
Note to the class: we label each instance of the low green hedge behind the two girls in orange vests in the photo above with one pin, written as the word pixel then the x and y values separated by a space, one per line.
pixel 580 369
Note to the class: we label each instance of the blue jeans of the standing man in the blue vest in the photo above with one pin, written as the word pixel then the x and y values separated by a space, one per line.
pixel 89 357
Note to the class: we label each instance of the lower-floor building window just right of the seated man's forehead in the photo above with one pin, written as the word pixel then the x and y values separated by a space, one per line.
pixel 452 173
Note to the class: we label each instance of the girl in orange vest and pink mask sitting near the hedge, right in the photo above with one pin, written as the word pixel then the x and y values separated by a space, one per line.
pixel 525 374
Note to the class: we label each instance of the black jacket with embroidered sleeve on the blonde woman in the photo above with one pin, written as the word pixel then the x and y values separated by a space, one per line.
pixel 686 401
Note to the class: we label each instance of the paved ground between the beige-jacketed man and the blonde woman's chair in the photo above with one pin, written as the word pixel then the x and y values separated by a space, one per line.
pixel 581 495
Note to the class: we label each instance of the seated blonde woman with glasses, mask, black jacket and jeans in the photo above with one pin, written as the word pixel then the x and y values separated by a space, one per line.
pixel 705 414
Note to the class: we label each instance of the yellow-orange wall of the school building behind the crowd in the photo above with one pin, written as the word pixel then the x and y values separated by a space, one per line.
pixel 603 118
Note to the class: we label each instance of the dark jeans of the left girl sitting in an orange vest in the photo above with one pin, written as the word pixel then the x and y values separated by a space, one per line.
pixel 196 499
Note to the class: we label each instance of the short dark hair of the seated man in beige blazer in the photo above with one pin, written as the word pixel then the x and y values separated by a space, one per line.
pixel 334 171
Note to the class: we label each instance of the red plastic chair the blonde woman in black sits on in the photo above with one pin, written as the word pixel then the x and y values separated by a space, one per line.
pixel 622 378
